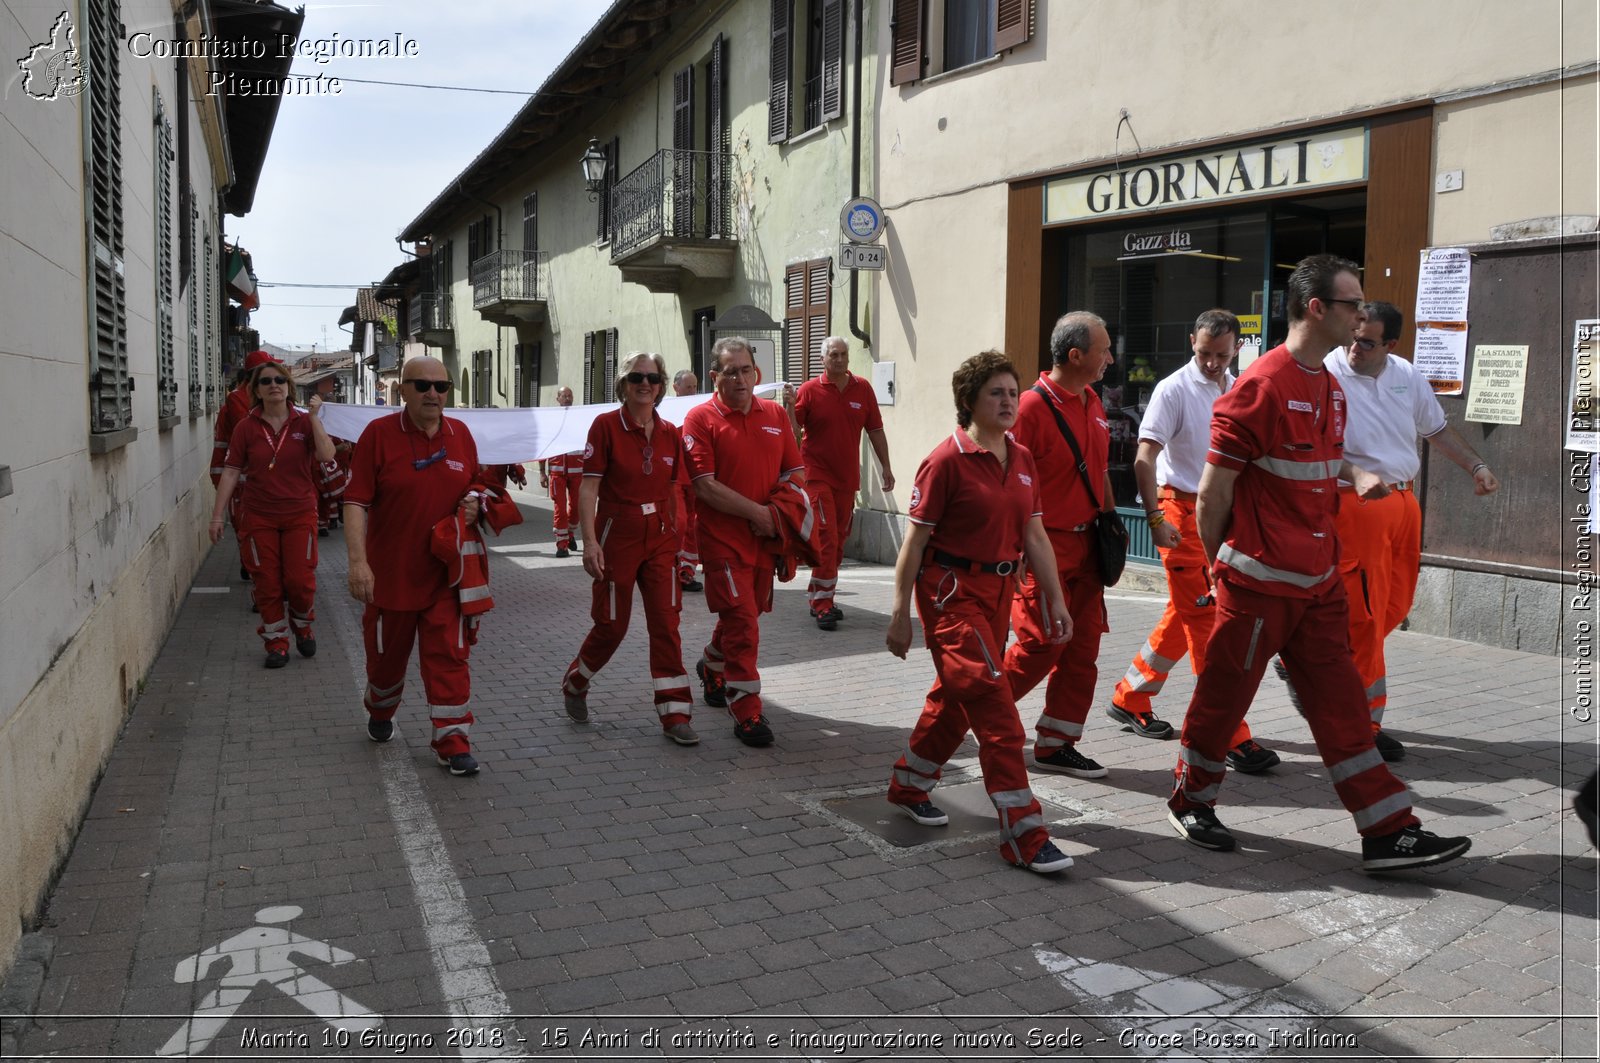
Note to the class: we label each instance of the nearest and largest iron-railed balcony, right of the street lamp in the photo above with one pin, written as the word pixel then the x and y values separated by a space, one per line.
pixel 673 220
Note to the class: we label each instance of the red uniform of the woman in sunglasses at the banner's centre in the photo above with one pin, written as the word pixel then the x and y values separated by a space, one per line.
pixel 639 540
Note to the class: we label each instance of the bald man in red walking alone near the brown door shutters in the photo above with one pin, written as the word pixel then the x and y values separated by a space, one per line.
pixel 830 415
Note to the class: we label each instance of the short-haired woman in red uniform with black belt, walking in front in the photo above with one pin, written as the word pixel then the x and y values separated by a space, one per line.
pixel 975 513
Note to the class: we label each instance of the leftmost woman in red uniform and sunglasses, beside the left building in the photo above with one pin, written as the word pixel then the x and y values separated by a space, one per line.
pixel 281 449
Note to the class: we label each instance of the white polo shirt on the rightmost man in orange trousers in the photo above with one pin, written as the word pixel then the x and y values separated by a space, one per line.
pixel 1386 415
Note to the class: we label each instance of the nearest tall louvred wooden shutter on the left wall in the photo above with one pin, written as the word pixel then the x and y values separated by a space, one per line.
pixel 111 385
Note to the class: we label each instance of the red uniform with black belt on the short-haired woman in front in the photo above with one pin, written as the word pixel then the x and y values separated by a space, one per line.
pixel 978 511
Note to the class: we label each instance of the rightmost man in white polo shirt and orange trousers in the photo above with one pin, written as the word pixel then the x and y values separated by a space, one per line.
pixel 1391 407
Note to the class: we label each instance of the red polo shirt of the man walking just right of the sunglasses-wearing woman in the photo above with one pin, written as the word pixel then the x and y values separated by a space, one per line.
pixel 746 452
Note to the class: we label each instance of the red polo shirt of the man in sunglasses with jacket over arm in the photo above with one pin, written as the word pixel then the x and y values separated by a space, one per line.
pixel 404 503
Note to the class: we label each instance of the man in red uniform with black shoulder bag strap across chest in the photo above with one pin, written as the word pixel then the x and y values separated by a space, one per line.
pixel 1079 355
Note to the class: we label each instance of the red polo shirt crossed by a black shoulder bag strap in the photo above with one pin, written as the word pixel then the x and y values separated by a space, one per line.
pixel 1068 502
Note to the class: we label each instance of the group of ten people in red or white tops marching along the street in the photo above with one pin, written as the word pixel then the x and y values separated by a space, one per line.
pixel 1281 503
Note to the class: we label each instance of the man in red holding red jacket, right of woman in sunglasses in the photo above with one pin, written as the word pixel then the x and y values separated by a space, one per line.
pixel 738 451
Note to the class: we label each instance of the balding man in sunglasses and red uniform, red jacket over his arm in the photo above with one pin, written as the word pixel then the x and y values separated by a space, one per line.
pixel 410 471
